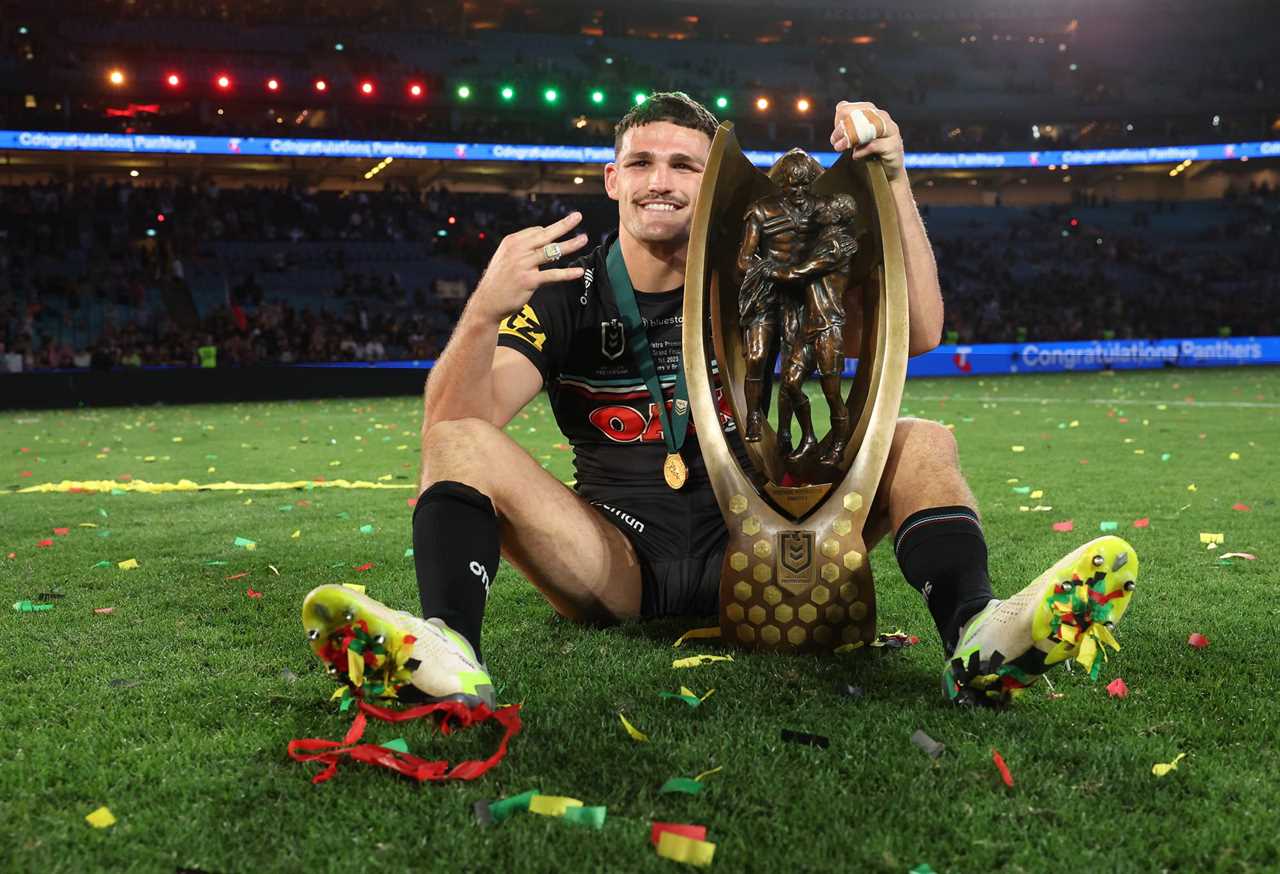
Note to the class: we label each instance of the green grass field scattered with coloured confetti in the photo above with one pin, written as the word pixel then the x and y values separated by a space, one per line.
pixel 175 711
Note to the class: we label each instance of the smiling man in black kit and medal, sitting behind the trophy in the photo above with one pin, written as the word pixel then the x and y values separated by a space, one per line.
pixel 641 534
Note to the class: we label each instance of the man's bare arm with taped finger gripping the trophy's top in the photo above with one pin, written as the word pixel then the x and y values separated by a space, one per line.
pixel 925 296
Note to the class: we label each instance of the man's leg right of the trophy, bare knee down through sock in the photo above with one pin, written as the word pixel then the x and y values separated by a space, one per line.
pixel 940 544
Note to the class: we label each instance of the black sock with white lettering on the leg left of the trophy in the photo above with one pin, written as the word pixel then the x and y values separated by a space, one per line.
pixel 456 556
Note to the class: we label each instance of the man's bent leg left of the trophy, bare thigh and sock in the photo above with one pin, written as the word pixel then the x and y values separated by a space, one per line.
pixel 580 562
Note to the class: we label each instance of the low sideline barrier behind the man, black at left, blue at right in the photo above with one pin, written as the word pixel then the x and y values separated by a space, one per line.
pixel 85 388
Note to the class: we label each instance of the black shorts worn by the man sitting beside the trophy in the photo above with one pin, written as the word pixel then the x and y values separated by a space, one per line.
pixel 680 541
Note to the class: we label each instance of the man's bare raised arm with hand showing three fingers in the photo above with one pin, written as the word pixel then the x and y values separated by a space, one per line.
pixel 473 378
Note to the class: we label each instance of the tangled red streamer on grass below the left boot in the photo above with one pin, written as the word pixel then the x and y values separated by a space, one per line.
pixel 331 753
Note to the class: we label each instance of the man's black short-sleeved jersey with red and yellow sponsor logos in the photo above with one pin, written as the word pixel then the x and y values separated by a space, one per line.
pixel 573 333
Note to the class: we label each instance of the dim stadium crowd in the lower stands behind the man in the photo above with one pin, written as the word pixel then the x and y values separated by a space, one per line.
pixel 85 283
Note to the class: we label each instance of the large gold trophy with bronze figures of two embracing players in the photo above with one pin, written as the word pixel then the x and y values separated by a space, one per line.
pixel 789 273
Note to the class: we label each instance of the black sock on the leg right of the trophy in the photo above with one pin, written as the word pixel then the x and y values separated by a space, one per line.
pixel 944 556
